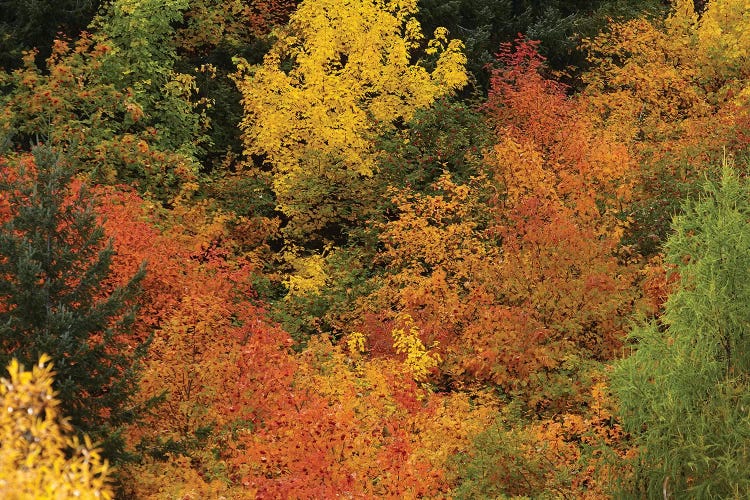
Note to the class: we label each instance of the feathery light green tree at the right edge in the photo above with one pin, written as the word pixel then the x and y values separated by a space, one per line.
pixel 685 392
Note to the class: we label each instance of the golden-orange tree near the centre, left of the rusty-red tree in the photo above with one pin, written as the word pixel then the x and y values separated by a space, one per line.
pixel 438 259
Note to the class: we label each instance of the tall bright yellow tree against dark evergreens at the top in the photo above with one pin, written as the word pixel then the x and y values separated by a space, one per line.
pixel 340 73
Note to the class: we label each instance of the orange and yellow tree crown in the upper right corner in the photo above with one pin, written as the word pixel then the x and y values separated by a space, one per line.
pixel 656 77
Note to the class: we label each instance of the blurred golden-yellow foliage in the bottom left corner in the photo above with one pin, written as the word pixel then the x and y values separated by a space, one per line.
pixel 39 456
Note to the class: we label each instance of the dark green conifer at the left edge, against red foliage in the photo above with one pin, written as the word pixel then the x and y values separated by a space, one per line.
pixel 55 296
